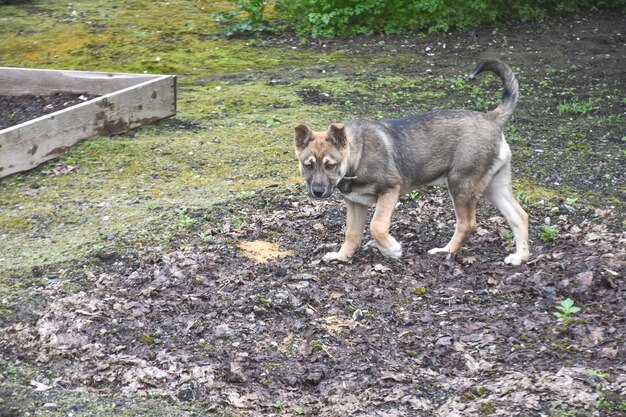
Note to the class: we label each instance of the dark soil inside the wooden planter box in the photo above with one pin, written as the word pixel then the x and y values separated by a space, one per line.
pixel 19 109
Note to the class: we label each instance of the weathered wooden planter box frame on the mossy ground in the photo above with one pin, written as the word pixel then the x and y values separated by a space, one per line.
pixel 126 101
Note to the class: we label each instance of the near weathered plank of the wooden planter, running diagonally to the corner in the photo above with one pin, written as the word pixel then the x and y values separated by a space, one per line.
pixel 24 146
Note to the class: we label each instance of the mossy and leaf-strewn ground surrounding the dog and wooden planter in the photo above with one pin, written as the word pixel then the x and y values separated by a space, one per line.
pixel 175 270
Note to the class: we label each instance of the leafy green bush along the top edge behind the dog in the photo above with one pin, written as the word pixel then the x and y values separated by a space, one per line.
pixel 330 18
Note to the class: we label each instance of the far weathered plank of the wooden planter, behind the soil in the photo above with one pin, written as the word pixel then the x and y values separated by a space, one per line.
pixel 24 81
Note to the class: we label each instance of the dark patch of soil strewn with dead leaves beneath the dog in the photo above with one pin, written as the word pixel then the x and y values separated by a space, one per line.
pixel 426 335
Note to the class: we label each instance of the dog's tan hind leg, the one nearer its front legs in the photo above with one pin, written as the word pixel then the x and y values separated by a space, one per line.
pixel 465 210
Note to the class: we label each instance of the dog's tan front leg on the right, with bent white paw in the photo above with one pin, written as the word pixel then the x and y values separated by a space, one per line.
pixel 382 221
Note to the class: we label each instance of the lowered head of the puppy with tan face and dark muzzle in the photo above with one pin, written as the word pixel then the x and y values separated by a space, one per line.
pixel 323 158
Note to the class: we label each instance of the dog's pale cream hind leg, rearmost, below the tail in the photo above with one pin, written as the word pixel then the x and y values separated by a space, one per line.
pixel 500 193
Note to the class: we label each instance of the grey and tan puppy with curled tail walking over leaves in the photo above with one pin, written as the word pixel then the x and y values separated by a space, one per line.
pixel 379 161
